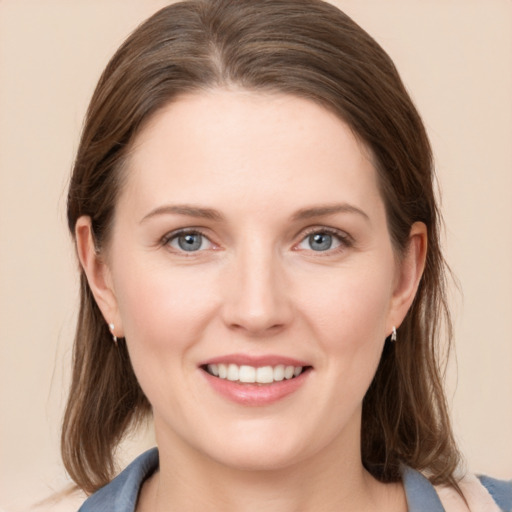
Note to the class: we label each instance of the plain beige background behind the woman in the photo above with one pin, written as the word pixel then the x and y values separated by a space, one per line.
pixel 455 57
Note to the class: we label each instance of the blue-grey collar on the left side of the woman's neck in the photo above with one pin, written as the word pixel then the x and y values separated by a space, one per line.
pixel 122 492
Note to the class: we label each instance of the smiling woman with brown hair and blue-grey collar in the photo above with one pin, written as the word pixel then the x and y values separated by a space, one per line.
pixel 253 211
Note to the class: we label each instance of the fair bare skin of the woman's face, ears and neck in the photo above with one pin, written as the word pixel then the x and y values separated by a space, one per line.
pixel 257 286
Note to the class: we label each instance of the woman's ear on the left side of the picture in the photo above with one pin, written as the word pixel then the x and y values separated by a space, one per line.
pixel 98 274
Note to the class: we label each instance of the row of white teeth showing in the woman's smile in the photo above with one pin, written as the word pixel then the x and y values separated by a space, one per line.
pixel 254 375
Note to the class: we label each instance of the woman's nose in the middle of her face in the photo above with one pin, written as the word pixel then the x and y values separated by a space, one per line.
pixel 257 297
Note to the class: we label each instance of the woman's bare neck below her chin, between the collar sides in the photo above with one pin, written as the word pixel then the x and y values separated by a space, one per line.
pixel 330 481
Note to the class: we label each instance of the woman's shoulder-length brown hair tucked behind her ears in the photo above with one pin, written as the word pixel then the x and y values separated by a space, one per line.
pixel 306 48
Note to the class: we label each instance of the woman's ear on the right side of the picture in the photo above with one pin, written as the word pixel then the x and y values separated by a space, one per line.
pixel 410 269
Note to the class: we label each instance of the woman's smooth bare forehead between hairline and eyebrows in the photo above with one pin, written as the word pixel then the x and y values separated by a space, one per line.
pixel 266 149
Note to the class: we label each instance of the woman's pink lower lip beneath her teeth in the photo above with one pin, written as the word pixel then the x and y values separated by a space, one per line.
pixel 256 394
